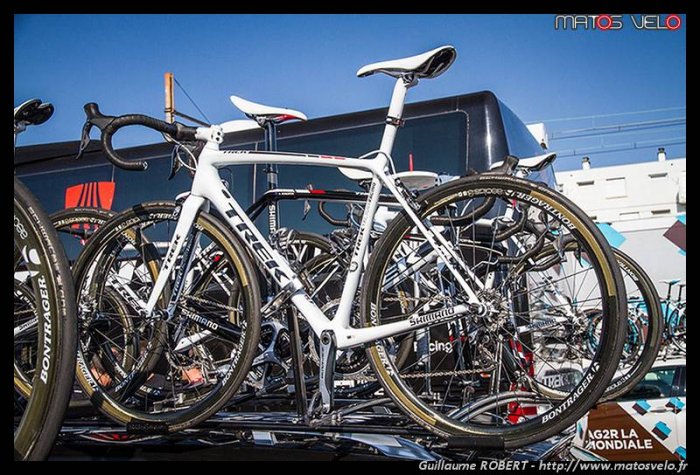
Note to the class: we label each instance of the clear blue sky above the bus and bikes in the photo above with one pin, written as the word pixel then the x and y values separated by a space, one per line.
pixel 308 62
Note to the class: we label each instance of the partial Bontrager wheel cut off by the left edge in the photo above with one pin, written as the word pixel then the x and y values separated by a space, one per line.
pixel 42 274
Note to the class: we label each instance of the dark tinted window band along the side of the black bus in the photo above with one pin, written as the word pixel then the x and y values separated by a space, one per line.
pixel 437 143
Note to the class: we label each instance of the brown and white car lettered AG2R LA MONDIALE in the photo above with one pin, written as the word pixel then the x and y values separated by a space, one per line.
pixel 648 423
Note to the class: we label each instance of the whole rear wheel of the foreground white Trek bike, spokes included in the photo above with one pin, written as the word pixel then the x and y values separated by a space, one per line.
pixel 515 372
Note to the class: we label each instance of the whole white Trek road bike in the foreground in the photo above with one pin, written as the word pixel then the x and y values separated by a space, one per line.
pixel 421 275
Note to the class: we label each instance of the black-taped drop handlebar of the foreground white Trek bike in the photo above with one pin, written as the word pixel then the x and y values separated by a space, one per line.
pixel 109 125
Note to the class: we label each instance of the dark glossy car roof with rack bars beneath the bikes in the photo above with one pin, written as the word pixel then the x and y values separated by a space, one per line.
pixel 381 433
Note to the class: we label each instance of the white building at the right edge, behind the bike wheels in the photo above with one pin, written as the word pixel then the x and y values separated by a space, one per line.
pixel 641 208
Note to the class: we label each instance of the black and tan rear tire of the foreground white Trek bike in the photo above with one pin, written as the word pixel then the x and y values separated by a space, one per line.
pixel 597 376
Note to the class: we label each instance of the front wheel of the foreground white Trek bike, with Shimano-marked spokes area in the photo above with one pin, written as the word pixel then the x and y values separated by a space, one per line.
pixel 189 364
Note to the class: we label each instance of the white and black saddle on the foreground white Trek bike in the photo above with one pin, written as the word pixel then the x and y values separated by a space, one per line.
pixel 427 65
